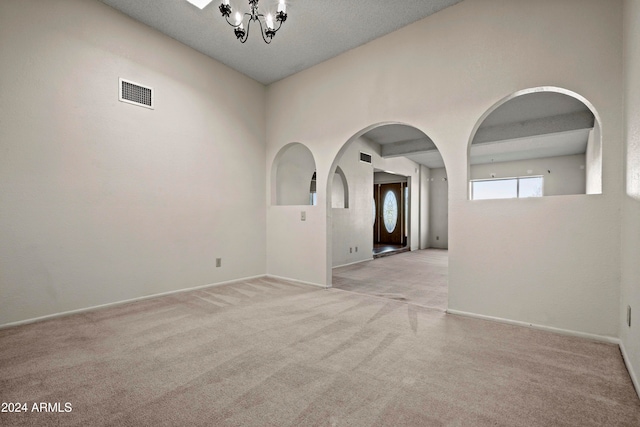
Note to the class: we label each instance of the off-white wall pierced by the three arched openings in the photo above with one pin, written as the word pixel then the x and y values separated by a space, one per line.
pixel 463 60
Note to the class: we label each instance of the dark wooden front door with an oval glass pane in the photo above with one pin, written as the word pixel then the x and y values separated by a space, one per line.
pixel 389 223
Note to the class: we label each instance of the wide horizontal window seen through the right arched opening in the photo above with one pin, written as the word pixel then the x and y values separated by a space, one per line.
pixel 507 188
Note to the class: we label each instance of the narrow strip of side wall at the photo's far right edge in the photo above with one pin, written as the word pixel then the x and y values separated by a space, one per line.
pixel 630 275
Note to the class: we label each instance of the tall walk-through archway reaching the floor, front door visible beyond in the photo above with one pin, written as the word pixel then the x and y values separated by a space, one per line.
pixel 403 165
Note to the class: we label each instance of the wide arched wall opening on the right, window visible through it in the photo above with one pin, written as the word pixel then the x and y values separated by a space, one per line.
pixel 537 142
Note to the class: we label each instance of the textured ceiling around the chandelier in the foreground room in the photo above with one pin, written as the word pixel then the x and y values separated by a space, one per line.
pixel 314 31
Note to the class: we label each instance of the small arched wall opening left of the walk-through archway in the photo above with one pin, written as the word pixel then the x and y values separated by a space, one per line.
pixel 292 173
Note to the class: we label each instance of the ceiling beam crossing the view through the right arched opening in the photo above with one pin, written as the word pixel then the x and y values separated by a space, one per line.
pixel 547 125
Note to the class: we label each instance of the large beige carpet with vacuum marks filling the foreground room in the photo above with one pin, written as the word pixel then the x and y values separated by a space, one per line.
pixel 272 353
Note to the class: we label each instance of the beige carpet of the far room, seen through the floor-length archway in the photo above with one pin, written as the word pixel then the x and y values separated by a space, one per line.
pixel 418 277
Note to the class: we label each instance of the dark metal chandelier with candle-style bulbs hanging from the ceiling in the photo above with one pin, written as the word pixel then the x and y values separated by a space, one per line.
pixel 267 27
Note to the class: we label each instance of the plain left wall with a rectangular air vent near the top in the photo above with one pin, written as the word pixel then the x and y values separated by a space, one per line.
pixel 102 201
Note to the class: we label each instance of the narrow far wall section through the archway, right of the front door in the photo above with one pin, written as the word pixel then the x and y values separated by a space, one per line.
pixel 439 209
